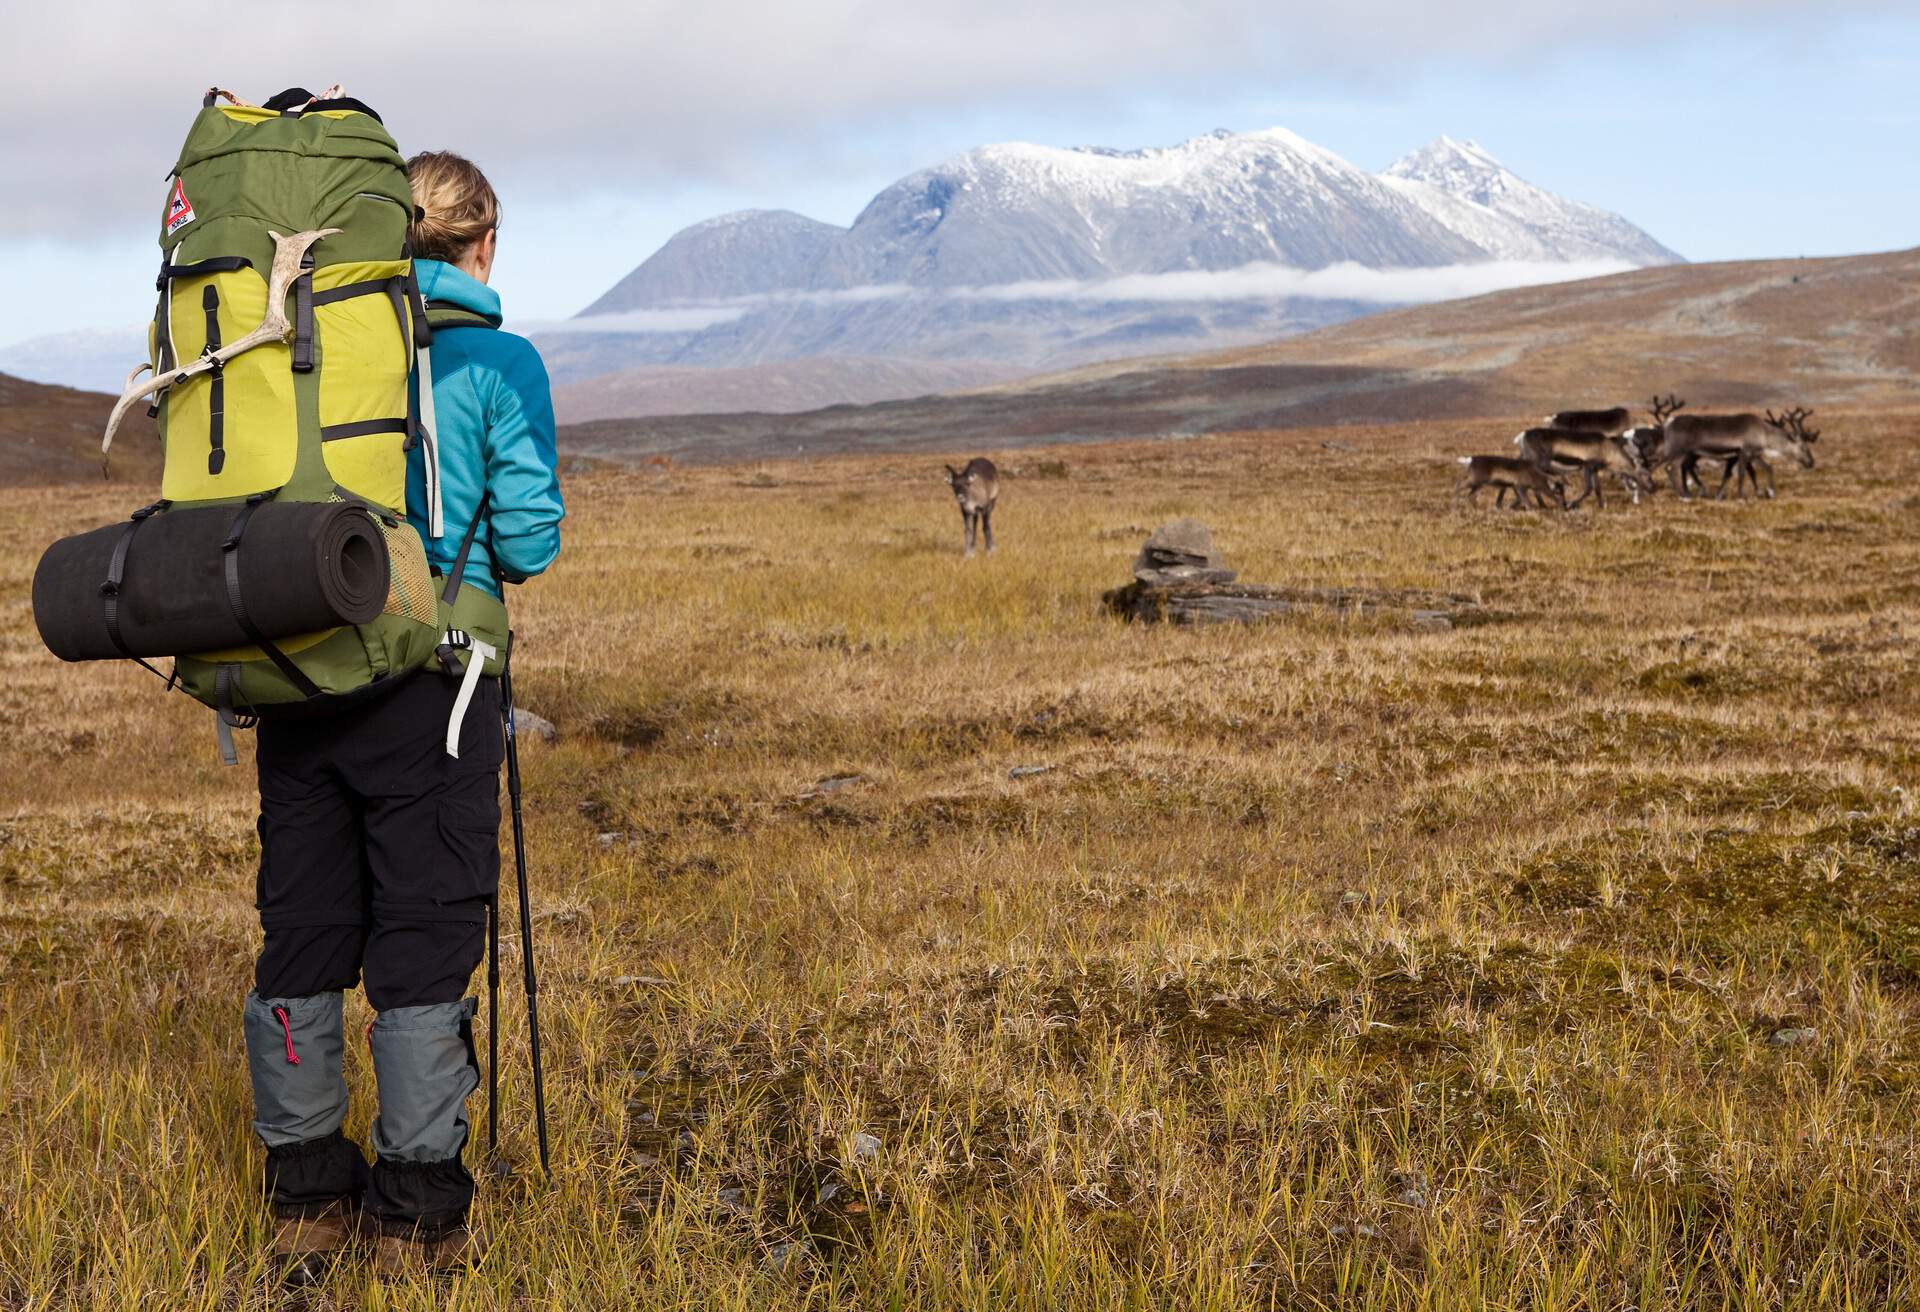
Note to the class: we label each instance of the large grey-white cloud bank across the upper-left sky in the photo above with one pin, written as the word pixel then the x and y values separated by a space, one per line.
pixel 625 97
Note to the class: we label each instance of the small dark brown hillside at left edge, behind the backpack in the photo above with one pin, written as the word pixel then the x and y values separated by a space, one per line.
pixel 53 435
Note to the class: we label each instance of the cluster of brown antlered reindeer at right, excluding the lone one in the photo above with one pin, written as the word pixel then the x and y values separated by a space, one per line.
pixel 1596 443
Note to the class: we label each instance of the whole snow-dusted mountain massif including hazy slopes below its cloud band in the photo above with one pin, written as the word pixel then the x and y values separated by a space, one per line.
pixel 1047 256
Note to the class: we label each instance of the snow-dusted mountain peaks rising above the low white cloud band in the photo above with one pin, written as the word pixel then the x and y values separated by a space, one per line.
pixel 1032 214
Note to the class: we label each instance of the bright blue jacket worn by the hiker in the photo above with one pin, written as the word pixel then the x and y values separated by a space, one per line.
pixel 496 435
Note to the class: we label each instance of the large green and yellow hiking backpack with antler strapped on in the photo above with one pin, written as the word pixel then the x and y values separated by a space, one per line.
pixel 324 412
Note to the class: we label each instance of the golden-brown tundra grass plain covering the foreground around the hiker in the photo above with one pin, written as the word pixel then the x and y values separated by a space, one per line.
pixel 1562 961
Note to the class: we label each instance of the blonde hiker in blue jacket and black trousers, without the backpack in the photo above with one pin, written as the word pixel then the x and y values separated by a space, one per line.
pixel 379 848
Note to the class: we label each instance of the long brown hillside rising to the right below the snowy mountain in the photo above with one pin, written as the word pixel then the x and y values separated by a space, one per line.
pixel 1827 333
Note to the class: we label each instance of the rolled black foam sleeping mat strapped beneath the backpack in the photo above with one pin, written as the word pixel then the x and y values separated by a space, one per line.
pixel 302 568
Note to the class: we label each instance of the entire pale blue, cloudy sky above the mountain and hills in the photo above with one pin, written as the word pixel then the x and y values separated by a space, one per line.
pixel 1748 130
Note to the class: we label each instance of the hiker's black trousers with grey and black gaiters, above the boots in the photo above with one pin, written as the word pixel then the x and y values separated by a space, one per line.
pixel 379 856
